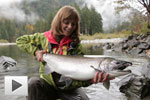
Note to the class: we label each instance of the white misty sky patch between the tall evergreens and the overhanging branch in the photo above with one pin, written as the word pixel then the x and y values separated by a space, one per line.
pixel 107 10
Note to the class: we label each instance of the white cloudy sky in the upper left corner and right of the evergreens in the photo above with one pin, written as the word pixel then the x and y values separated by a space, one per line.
pixel 104 7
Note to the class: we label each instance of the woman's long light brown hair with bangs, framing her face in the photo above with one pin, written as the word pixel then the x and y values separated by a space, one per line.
pixel 66 12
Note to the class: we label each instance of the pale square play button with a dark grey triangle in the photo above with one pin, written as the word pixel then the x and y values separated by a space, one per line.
pixel 16 85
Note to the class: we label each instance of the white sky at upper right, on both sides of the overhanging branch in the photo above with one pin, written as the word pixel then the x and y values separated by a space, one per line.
pixel 107 10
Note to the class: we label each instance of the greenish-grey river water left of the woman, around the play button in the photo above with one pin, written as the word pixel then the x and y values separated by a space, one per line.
pixel 26 65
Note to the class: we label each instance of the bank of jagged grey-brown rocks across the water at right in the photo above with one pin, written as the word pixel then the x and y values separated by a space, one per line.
pixel 135 44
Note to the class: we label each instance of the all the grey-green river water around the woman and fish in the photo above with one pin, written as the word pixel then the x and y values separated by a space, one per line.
pixel 27 65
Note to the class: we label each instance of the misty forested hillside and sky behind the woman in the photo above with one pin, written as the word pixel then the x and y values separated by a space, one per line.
pixel 20 17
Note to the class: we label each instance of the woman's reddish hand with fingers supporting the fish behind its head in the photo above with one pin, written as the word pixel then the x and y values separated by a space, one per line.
pixel 101 77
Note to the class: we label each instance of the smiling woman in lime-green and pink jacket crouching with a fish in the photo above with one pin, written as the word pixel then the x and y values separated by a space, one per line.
pixel 62 39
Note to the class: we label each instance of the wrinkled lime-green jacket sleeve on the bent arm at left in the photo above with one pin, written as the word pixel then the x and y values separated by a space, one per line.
pixel 30 43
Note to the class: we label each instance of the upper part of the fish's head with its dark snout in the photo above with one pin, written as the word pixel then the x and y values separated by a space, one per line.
pixel 113 64
